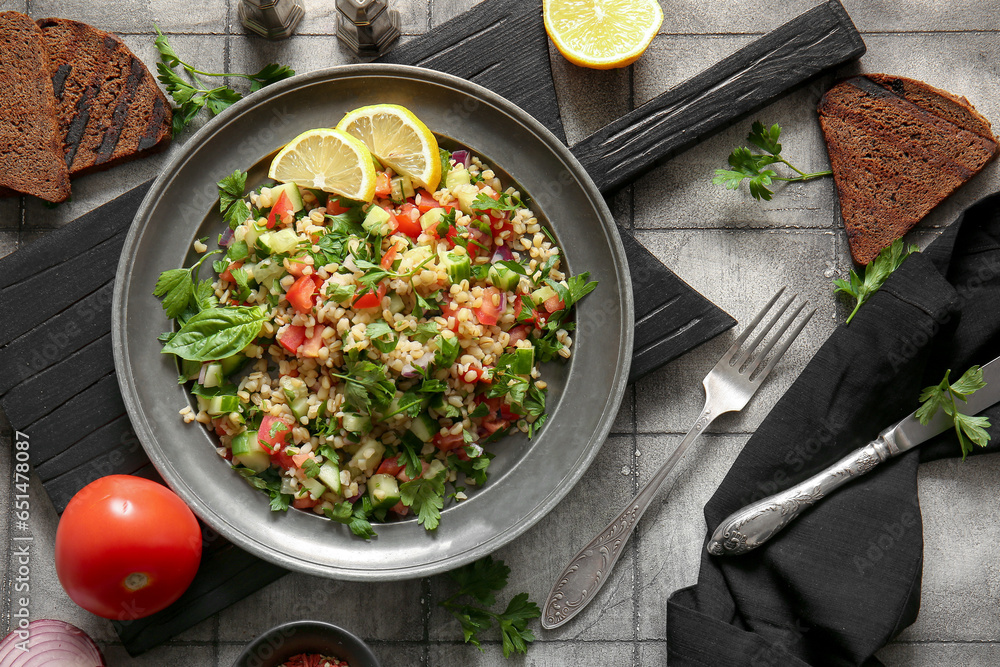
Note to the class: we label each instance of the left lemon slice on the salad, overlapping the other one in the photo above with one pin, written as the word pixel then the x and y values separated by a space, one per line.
pixel 328 160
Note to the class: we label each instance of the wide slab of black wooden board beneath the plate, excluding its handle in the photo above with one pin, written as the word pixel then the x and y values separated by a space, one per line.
pixel 57 380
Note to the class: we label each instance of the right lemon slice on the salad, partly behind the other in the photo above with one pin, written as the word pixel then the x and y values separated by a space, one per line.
pixel 398 139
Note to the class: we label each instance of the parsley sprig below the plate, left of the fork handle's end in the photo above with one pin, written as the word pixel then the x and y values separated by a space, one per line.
pixel 480 581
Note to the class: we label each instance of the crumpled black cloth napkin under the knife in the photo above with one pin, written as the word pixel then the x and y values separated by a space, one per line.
pixel 844 579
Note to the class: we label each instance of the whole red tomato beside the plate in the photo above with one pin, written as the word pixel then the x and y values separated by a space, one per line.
pixel 126 547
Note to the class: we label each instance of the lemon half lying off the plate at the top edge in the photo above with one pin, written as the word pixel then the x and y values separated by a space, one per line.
pixel 602 34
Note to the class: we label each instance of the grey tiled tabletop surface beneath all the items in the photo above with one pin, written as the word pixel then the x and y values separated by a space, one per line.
pixel 733 249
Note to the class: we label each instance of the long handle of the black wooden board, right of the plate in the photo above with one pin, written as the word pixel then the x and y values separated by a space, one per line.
pixel 751 78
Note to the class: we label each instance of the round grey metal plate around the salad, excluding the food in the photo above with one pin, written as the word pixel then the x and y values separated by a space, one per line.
pixel 527 478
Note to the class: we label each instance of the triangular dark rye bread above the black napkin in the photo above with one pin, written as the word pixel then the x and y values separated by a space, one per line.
pixel 898 147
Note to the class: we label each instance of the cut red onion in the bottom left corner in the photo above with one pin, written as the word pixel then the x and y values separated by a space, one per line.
pixel 49 643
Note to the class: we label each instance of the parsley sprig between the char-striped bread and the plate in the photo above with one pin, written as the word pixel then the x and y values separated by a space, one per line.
pixel 194 95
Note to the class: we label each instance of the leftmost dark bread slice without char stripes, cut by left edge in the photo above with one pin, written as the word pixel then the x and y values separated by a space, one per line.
pixel 31 158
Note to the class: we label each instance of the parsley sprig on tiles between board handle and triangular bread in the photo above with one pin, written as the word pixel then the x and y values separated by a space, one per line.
pixel 754 167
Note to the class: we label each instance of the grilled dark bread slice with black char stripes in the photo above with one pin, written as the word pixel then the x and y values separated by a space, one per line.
pixel 109 106
